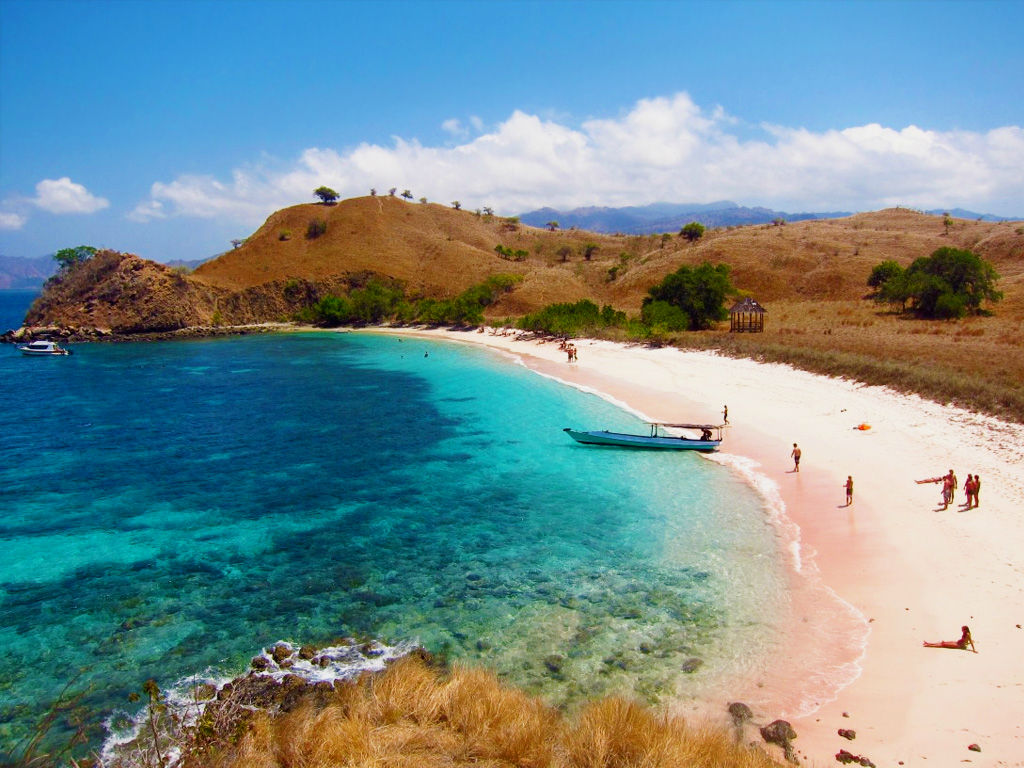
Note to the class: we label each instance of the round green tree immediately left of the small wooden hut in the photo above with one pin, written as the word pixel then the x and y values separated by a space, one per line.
pixel 699 292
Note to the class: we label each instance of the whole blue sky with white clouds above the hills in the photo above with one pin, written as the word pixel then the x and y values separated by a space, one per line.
pixel 169 129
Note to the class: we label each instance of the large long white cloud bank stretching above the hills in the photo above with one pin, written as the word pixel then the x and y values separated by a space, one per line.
pixel 665 149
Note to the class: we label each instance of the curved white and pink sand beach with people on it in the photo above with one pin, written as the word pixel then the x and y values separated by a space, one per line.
pixel 906 570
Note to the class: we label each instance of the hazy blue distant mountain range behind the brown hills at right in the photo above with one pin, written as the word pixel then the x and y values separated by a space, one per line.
pixel 669 218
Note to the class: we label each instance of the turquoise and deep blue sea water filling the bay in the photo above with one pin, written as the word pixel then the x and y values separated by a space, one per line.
pixel 168 510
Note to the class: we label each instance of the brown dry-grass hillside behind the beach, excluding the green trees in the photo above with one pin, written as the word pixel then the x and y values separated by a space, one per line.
pixel 812 276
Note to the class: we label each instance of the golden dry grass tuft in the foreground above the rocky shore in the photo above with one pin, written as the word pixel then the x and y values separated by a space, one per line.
pixel 412 716
